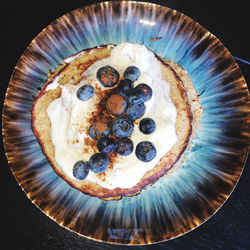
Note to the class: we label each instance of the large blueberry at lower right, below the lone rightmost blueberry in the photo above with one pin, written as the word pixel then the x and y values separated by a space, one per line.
pixel 145 151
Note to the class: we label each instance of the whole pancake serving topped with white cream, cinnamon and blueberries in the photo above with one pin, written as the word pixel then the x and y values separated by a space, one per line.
pixel 112 120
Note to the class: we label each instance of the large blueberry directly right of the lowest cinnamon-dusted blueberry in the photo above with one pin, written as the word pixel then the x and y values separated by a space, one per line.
pixel 122 127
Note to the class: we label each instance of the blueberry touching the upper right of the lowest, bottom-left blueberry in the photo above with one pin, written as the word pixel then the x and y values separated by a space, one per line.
pixel 98 163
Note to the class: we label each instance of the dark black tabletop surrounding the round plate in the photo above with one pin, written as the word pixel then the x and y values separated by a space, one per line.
pixel 23 226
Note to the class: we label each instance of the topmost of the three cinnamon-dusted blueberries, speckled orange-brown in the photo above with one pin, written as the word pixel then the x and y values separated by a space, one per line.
pixel 107 76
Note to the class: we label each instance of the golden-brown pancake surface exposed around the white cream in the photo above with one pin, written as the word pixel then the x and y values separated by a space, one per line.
pixel 71 72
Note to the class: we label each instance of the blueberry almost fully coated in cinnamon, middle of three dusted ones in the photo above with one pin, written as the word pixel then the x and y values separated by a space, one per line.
pixel 116 105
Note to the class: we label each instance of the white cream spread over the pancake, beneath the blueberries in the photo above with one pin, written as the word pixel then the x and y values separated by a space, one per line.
pixel 69 119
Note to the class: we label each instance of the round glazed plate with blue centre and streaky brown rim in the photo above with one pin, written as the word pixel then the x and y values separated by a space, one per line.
pixel 175 204
